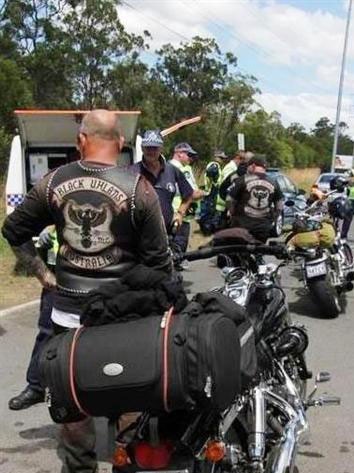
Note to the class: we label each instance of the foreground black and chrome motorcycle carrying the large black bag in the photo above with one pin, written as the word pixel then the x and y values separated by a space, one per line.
pixel 261 430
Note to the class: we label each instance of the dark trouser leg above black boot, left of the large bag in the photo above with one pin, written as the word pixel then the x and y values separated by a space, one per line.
pixel 45 332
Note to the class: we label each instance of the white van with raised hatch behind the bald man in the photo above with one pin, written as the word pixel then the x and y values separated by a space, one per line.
pixel 47 139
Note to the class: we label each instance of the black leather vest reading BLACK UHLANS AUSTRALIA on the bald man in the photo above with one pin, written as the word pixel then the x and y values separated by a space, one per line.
pixel 93 209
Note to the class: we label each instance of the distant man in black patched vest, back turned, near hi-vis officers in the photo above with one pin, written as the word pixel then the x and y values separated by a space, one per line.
pixel 255 201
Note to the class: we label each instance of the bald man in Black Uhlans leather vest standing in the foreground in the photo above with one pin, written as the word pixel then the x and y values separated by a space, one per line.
pixel 107 220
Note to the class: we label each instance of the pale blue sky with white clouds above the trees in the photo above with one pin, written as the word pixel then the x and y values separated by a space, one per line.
pixel 293 47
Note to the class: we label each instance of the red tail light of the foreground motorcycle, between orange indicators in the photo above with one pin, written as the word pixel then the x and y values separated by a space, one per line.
pixel 154 457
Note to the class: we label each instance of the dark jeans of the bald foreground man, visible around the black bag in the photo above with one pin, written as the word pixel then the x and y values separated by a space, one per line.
pixel 77 440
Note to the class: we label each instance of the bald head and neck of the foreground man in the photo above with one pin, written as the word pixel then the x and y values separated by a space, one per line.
pixel 99 137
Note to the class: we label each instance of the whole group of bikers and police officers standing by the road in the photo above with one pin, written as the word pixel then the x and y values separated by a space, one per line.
pixel 108 220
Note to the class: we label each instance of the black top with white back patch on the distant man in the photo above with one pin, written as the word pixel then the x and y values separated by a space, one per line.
pixel 255 197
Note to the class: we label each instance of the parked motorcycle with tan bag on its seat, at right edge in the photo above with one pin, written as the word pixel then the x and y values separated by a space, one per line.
pixel 327 264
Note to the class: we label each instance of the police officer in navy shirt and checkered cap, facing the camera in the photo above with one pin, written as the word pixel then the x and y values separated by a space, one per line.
pixel 166 179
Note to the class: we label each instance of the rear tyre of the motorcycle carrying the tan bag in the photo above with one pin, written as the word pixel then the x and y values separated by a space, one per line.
pixel 326 297
